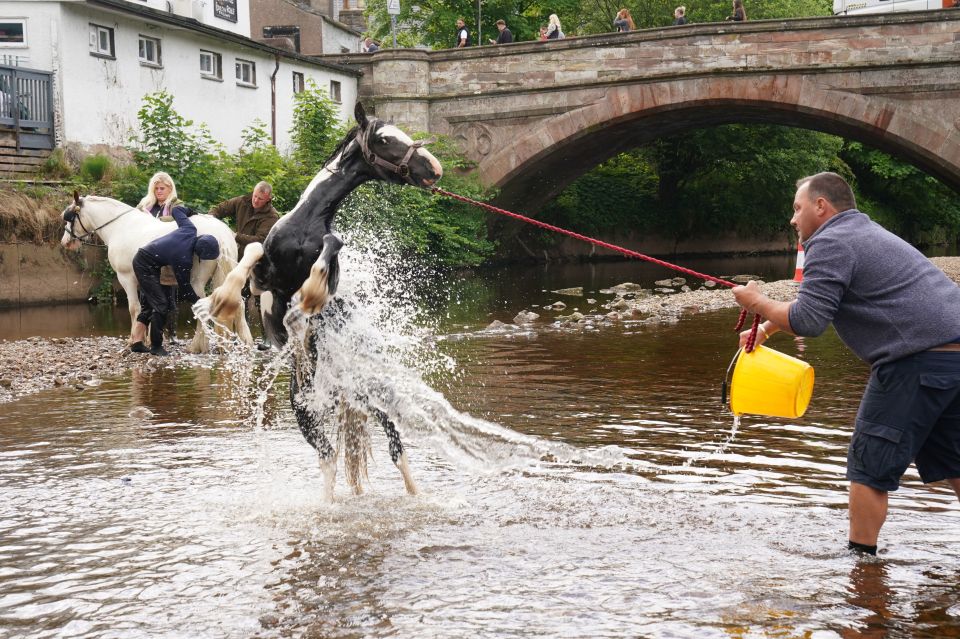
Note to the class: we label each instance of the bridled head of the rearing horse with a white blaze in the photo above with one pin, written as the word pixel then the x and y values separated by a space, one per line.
pixel 392 155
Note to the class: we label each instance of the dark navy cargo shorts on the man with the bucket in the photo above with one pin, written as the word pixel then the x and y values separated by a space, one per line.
pixel 910 412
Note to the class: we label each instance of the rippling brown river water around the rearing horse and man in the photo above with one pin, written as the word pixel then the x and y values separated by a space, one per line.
pixel 572 484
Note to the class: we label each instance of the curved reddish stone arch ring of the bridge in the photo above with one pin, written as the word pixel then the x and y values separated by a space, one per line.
pixel 533 168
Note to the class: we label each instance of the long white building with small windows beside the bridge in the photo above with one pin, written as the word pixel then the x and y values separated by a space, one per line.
pixel 105 55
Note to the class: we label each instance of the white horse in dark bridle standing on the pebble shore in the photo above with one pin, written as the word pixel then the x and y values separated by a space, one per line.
pixel 125 230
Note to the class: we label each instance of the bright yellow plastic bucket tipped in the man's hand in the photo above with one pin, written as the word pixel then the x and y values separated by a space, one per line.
pixel 767 382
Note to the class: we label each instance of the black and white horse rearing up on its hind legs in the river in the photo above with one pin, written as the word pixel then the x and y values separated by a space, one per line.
pixel 299 262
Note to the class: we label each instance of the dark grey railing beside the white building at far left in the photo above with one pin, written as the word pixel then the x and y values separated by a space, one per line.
pixel 26 106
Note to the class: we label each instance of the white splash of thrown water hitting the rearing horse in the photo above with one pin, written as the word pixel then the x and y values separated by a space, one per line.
pixel 375 346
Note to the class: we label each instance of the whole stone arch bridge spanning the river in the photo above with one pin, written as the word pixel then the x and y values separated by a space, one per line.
pixel 534 116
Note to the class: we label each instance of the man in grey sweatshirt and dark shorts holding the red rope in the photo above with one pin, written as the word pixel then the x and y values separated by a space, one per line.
pixel 895 310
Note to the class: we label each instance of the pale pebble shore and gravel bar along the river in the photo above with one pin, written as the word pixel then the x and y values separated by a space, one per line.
pixel 31 365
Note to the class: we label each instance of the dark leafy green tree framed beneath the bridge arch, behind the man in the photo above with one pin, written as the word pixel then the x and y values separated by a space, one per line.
pixel 728 178
